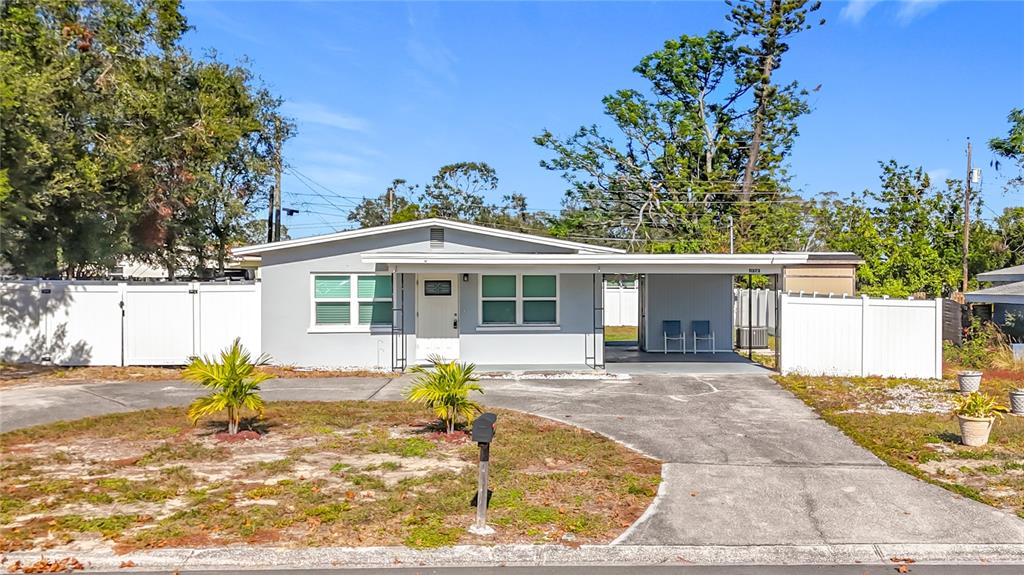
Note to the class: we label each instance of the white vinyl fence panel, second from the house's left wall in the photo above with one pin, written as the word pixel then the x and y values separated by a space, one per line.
pixel 159 325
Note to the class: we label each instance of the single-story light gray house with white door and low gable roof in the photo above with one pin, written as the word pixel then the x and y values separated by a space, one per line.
pixel 394 296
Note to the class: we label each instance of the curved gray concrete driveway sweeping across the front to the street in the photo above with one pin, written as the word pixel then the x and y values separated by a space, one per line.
pixel 746 463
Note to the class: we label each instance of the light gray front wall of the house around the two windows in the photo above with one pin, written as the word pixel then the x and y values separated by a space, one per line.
pixel 286 308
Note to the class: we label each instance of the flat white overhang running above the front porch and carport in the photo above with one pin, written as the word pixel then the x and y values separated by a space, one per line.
pixel 585 263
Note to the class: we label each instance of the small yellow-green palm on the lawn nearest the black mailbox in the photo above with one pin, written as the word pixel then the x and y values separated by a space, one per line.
pixel 445 387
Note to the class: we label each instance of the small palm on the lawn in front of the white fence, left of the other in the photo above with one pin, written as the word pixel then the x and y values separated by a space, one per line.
pixel 234 381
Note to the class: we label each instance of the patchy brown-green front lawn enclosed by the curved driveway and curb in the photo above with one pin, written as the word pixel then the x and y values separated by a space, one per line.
pixel 321 474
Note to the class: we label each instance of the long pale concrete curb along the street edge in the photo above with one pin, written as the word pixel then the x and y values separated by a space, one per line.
pixel 519 555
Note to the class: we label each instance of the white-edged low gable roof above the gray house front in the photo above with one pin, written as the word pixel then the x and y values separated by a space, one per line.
pixel 431 223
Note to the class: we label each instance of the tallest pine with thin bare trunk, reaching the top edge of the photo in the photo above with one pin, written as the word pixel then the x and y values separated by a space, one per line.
pixel 767 24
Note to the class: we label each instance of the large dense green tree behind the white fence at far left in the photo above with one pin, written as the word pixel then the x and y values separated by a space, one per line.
pixel 117 143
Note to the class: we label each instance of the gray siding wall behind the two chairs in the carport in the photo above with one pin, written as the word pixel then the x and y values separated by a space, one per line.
pixel 690 298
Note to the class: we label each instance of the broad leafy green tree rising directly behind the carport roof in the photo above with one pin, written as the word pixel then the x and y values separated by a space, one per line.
pixel 669 179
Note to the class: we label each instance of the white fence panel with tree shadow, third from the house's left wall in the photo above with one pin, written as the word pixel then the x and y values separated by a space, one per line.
pixel 84 329
